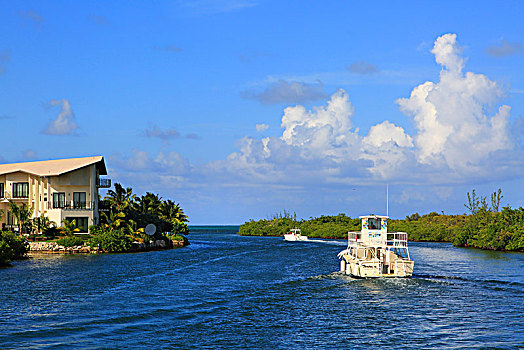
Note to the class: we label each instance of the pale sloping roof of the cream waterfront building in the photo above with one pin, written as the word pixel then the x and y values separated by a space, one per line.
pixel 54 167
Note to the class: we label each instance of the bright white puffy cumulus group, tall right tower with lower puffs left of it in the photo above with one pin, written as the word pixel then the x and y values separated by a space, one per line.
pixel 460 133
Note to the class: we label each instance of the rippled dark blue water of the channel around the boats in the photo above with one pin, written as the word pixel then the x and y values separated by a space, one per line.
pixel 227 291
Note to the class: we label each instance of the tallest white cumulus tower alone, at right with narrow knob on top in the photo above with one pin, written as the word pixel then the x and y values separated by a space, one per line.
pixel 450 117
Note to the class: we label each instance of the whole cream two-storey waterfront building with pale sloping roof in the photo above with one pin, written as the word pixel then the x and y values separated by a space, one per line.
pixel 62 190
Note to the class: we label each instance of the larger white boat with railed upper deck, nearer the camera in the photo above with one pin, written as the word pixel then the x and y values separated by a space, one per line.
pixel 374 252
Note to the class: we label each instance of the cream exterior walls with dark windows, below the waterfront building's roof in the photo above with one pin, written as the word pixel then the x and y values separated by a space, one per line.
pixel 42 188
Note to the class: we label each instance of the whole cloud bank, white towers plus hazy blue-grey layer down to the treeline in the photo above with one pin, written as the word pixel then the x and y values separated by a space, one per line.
pixel 460 135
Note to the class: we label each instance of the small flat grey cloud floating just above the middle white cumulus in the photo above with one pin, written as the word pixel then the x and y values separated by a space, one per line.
pixel 287 92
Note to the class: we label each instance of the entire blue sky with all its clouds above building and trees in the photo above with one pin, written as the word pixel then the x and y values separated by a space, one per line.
pixel 244 109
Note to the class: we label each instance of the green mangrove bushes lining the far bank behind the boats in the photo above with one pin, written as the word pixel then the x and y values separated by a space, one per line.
pixel 484 226
